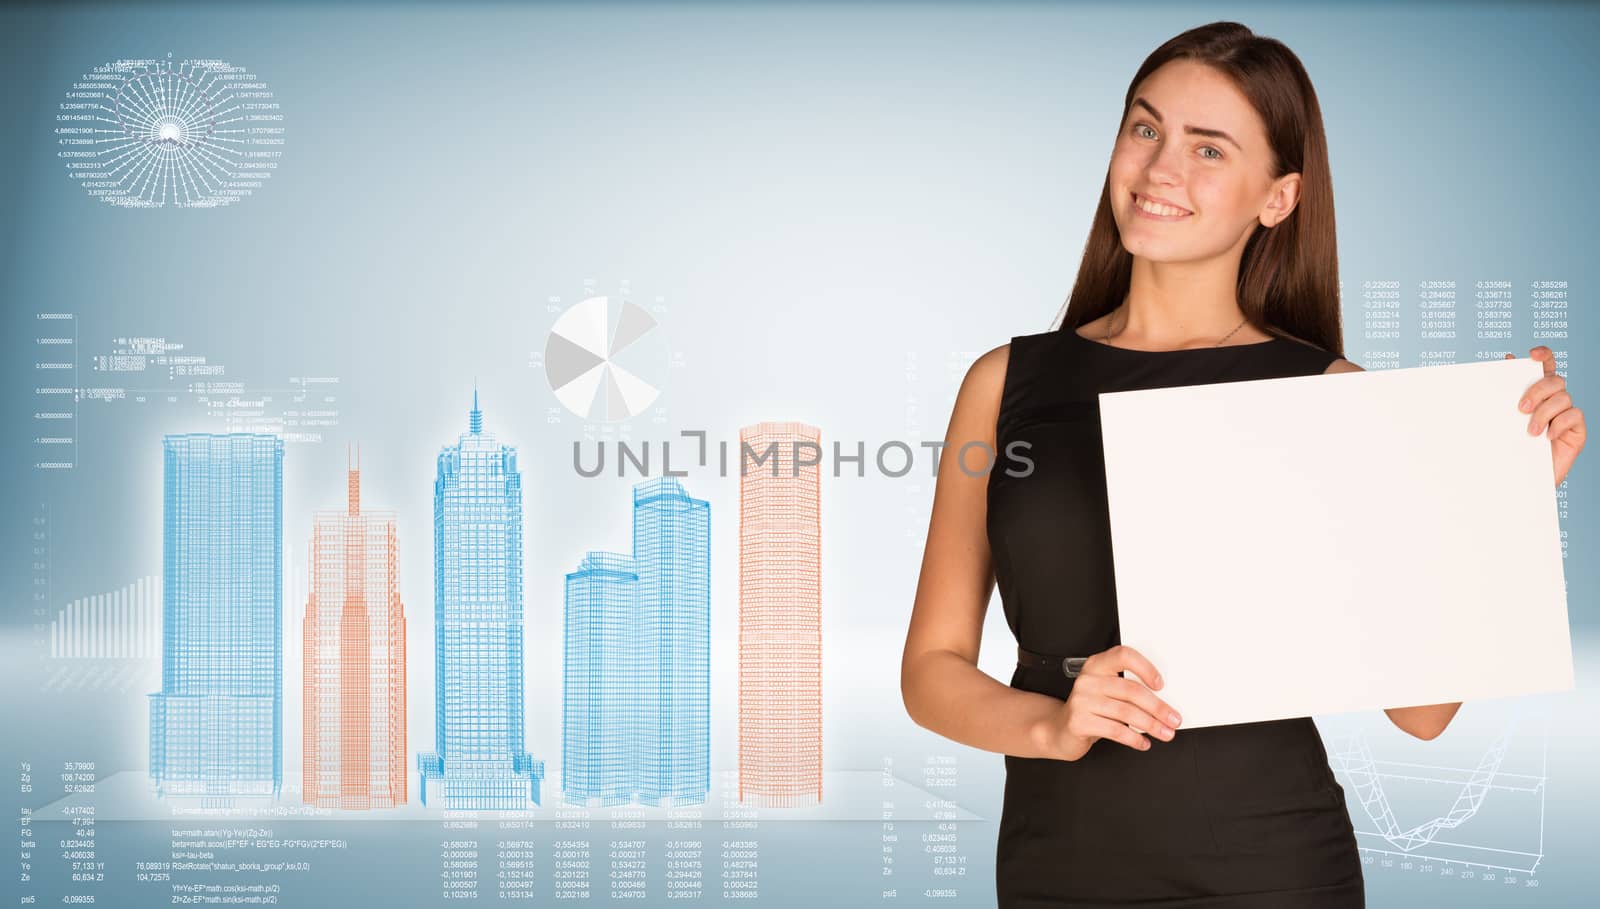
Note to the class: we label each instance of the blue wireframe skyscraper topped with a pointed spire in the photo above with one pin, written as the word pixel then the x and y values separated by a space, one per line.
pixel 478 630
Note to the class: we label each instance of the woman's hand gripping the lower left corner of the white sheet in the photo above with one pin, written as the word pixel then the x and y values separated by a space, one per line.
pixel 1108 707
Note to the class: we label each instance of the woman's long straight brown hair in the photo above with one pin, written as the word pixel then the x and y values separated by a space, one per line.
pixel 1289 276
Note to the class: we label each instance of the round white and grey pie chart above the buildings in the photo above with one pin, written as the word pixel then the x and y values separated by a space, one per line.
pixel 606 359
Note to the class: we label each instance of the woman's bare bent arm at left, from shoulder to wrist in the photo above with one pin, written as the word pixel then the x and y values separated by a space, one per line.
pixel 940 679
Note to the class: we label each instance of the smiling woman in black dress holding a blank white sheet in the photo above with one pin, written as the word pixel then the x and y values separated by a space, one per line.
pixel 1212 258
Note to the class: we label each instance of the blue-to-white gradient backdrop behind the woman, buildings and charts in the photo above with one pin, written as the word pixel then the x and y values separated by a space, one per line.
pixel 841 207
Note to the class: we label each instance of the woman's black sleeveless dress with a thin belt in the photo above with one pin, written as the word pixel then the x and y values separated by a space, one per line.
pixel 1236 817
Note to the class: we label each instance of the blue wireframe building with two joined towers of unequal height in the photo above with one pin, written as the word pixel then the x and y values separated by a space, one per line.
pixel 638 660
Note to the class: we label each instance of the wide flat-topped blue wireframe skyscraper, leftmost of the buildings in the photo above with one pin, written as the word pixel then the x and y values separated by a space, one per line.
pixel 217 726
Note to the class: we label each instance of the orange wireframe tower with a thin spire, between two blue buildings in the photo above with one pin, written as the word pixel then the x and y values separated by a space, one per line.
pixel 354 660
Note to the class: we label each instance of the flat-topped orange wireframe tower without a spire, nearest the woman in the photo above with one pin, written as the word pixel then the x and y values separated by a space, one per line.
pixel 780 615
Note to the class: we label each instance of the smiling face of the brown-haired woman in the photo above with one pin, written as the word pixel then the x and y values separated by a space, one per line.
pixel 1196 145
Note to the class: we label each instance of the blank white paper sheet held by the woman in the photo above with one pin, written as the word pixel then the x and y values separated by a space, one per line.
pixel 1332 543
